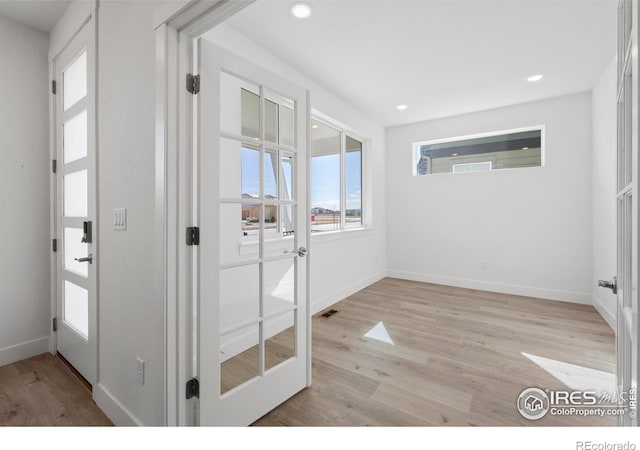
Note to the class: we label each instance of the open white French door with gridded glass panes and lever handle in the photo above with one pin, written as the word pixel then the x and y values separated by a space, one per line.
pixel 252 171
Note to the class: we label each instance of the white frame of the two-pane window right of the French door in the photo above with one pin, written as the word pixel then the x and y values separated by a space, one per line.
pixel 344 131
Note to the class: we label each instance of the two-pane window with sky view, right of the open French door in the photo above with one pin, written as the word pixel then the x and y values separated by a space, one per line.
pixel 336 179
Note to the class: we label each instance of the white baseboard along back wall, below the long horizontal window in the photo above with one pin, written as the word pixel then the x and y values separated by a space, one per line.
pixel 527 291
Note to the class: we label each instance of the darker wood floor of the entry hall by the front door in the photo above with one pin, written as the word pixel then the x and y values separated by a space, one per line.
pixel 43 391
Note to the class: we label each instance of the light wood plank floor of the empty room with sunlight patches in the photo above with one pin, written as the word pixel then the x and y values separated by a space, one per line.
pixel 460 357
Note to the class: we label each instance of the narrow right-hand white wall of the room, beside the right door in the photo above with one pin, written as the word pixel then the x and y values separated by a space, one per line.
pixel 604 111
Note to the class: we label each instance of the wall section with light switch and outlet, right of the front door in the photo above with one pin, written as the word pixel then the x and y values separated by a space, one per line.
pixel 131 318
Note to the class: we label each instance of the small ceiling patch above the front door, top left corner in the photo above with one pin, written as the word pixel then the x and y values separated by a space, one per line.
pixel 38 14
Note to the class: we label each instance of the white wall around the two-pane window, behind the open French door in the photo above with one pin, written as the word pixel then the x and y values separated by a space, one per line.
pixel 341 264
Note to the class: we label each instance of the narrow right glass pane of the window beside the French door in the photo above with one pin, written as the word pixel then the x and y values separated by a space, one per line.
pixel 353 170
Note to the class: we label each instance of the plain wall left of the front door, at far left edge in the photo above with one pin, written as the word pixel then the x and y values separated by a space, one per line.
pixel 24 193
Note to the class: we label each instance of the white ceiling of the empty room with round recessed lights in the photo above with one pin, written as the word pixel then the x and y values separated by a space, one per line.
pixel 443 57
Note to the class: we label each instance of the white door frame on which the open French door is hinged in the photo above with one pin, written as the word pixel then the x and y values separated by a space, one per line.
pixel 176 27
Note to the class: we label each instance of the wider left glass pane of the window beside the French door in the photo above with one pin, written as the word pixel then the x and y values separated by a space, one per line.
pixel 325 177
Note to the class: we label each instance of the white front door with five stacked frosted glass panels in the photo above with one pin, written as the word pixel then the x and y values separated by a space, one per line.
pixel 75 206
